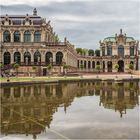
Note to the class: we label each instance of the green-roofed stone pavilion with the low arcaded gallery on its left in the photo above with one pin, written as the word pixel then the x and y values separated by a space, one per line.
pixel 121 50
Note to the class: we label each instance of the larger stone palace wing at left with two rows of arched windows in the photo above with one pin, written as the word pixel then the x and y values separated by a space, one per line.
pixel 30 40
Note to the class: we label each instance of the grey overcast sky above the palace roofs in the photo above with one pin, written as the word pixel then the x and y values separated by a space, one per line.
pixel 83 22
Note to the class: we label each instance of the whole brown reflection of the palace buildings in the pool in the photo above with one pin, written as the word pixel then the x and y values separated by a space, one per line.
pixel 29 109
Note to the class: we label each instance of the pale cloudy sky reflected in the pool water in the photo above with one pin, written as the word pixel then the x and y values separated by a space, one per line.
pixel 85 118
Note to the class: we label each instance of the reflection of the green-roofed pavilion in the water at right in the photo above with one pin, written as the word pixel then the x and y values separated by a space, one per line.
pixel 120 96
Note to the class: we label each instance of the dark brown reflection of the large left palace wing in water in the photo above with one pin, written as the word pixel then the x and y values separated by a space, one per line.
pixel 29 109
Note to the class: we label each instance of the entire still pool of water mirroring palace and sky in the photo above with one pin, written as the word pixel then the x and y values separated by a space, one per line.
pixel 80 110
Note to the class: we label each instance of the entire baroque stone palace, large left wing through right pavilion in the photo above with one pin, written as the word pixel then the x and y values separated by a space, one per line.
pixel 30 41
